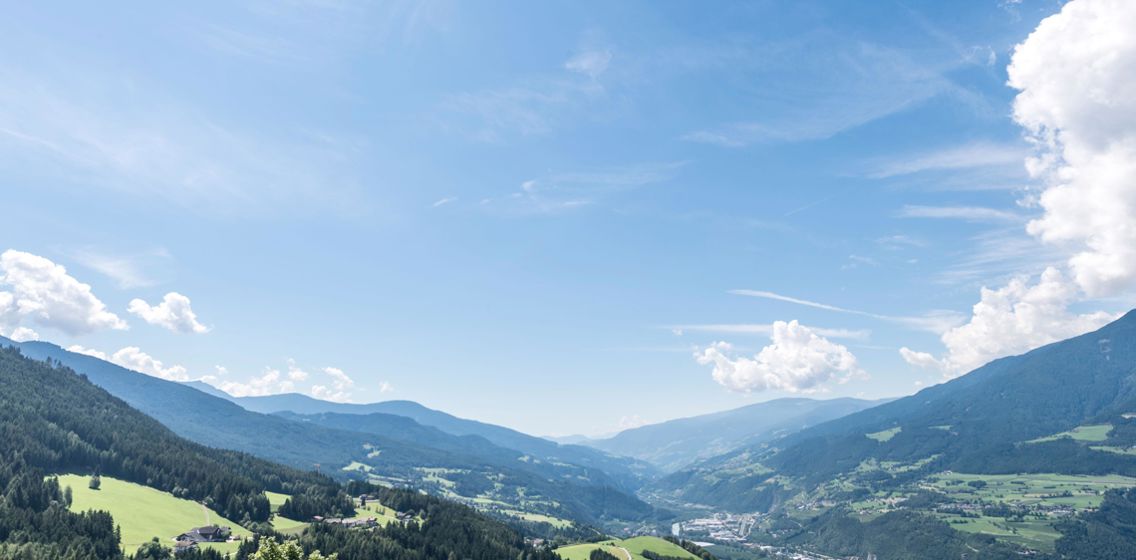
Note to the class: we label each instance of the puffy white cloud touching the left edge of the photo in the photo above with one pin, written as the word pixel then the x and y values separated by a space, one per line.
pixel 45 294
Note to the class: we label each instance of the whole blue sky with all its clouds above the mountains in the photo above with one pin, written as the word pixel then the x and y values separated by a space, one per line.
pixel 566 218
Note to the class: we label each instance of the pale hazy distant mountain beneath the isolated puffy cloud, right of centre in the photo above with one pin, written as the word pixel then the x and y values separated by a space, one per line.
pixel 674 445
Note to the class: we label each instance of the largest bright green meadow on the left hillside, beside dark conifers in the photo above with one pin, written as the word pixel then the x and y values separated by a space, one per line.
pixel 145 513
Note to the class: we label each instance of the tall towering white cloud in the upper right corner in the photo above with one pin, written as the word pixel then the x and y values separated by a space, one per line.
pixel 1077 80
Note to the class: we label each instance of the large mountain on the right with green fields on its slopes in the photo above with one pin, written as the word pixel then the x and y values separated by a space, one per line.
pixel 1033 454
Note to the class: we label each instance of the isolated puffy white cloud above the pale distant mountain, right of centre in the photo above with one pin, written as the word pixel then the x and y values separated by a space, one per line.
pixel 798 361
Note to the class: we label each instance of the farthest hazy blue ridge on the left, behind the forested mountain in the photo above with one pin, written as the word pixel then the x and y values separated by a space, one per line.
pixel 627 473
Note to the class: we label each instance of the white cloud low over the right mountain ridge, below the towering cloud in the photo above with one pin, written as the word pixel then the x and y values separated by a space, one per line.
pixel 1013 320
